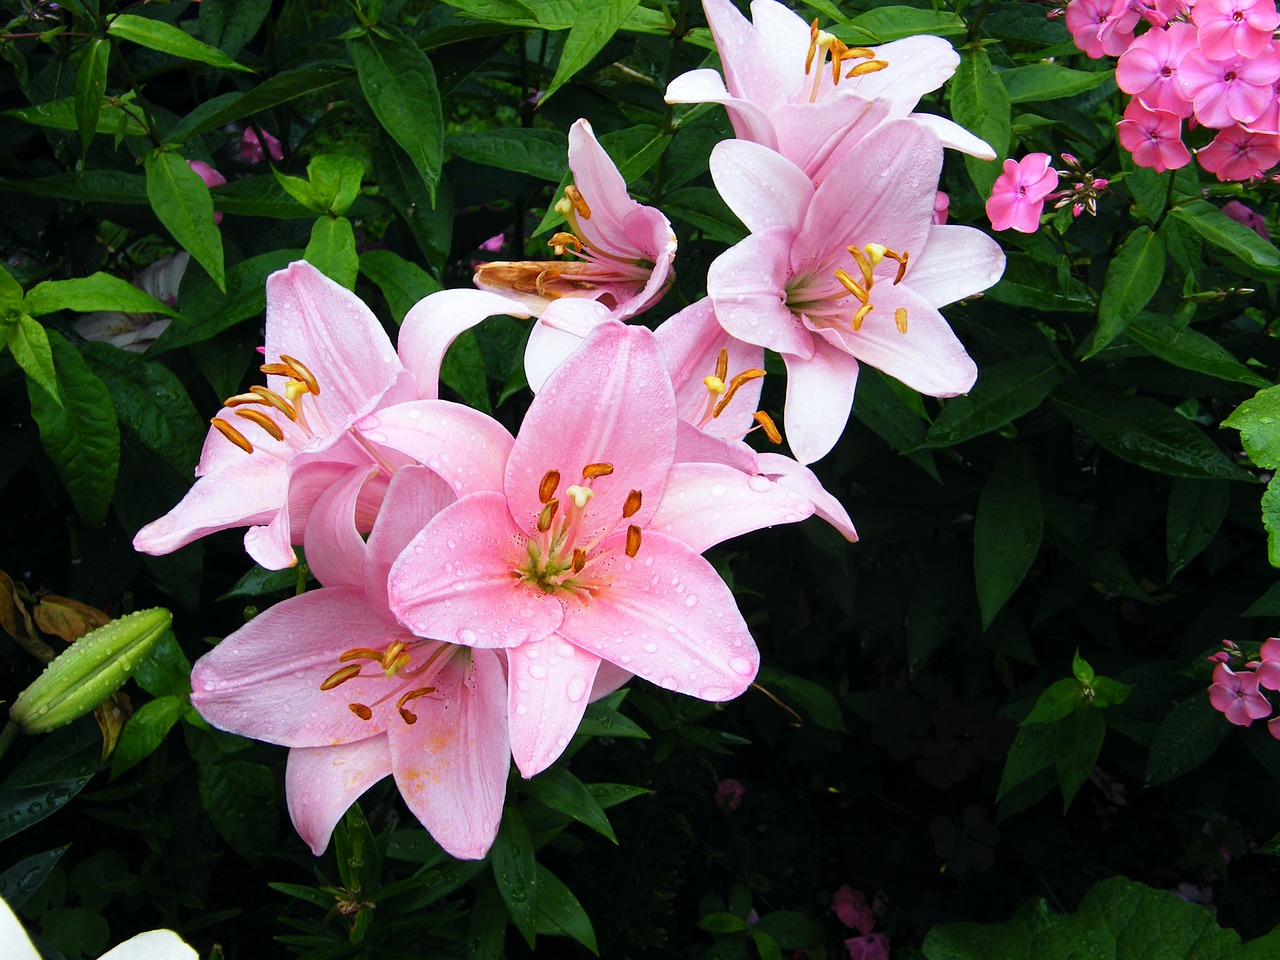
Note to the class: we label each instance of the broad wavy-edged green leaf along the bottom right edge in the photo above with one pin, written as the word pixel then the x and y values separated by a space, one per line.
pixel 1118 920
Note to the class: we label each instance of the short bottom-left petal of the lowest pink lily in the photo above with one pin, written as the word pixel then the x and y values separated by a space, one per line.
pixel 322 784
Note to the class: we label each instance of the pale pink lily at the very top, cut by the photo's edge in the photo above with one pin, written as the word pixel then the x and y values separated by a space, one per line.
pixel 781 93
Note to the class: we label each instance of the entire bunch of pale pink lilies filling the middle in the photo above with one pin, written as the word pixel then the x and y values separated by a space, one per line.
pixel 479 589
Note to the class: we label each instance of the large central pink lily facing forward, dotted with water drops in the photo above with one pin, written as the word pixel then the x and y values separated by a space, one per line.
pixel 569 561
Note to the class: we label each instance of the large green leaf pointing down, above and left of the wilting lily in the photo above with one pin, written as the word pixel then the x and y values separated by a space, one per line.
pixel 400 85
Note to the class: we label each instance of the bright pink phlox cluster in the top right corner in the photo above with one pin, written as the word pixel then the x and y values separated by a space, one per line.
pixel 1210 63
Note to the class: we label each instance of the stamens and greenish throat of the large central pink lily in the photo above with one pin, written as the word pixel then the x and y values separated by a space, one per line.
pixel 561 556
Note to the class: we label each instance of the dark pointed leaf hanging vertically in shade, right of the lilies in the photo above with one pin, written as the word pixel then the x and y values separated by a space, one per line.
pixel 1008 532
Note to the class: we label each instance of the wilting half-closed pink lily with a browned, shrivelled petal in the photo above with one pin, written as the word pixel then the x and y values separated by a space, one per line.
pixel 623 252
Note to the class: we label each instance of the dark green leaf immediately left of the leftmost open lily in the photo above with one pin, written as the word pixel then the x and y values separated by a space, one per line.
pixel 152 404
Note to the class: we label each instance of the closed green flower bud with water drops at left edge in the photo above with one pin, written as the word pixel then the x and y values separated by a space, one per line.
pixel 89 671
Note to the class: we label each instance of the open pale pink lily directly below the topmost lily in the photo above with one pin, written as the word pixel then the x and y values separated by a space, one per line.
pixel 845 273
